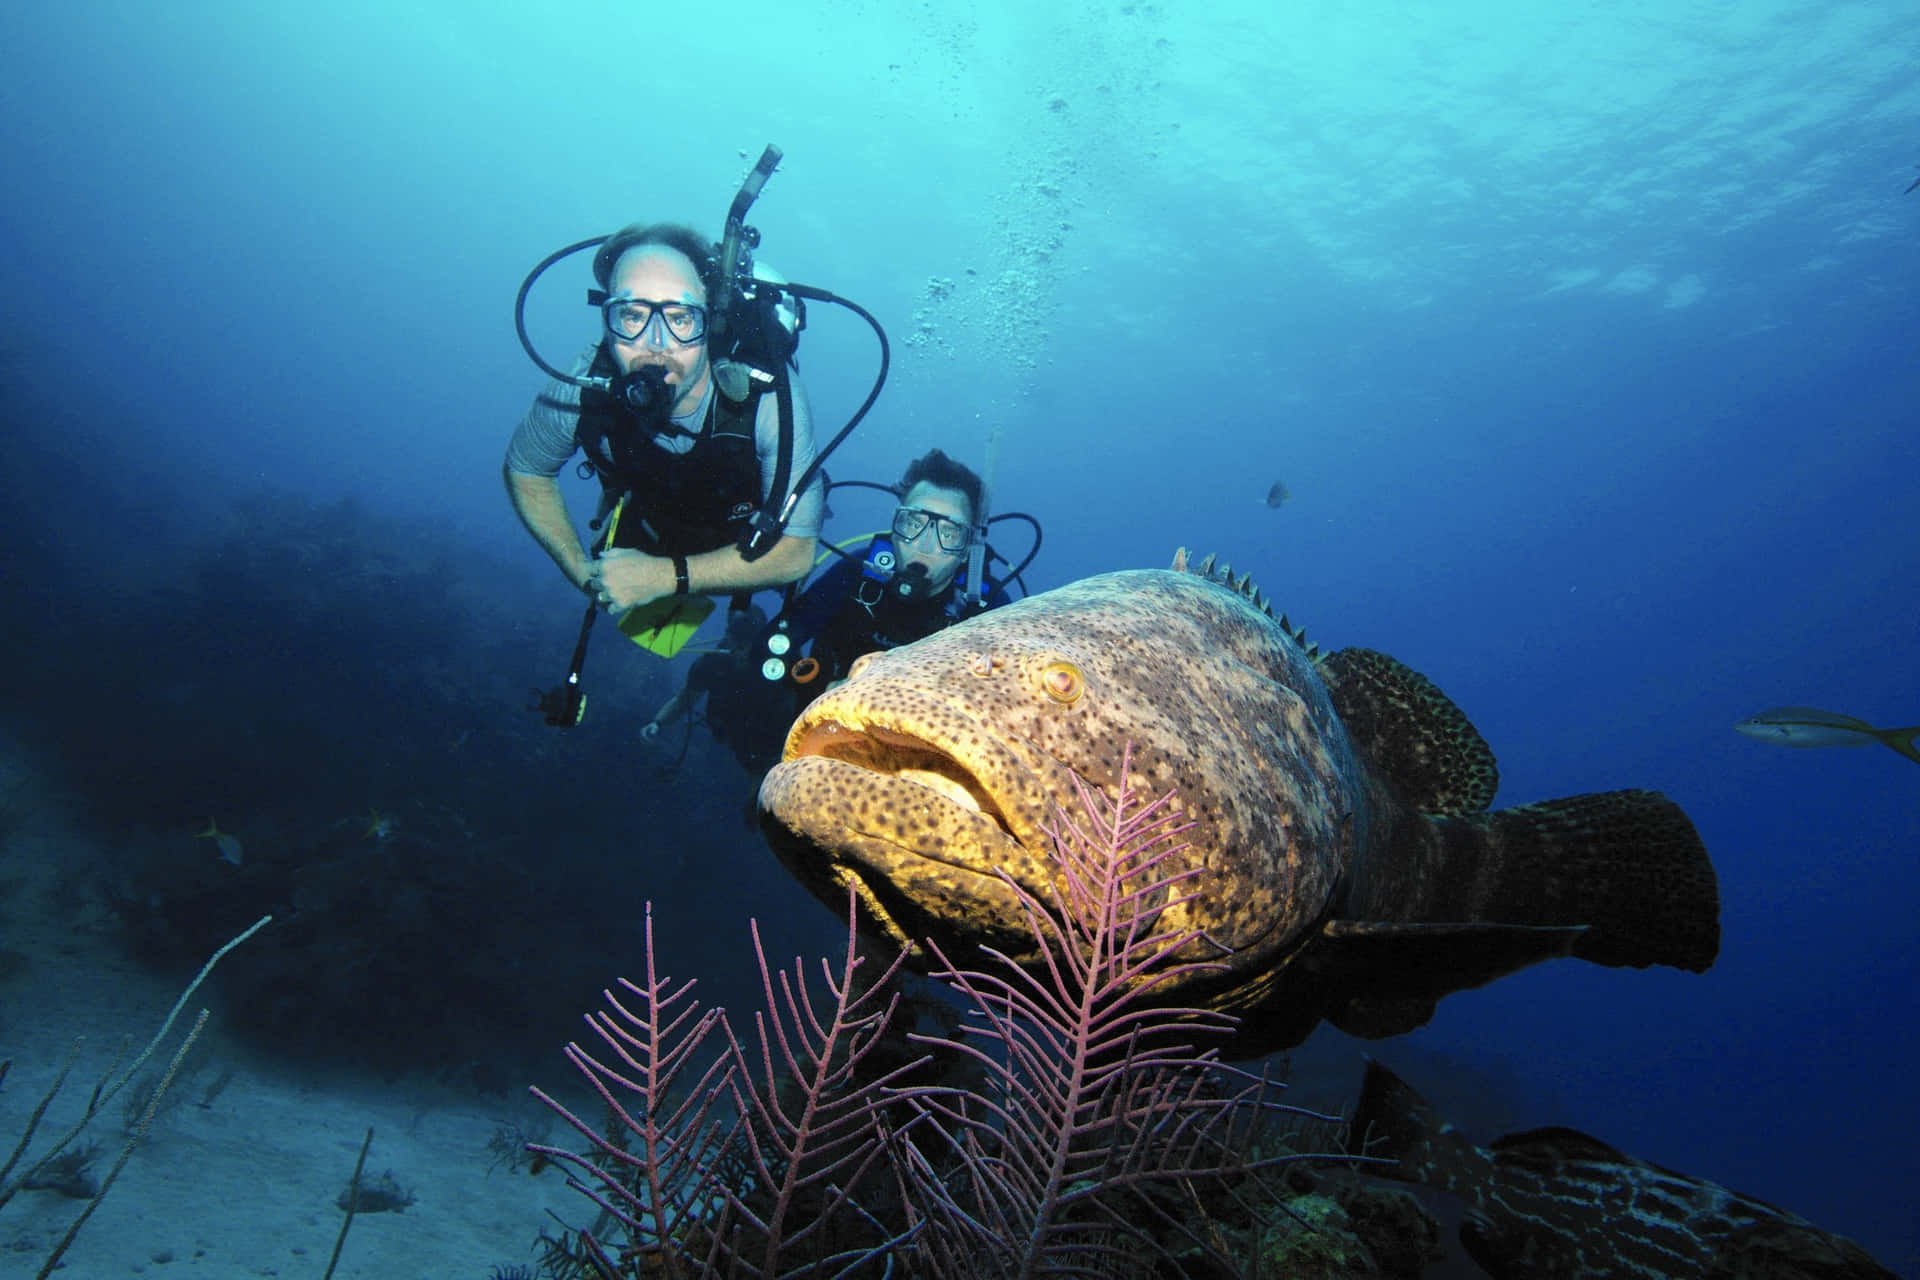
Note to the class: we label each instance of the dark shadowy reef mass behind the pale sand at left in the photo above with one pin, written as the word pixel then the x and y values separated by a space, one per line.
pixel 350 713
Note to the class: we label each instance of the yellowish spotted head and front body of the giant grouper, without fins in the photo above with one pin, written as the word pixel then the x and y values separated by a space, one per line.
pixel 1274 792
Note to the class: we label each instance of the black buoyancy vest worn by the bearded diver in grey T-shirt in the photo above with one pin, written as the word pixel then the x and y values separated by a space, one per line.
pixel 681 504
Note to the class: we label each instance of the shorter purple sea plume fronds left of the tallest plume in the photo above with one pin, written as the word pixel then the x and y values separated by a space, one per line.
pixel 756 1168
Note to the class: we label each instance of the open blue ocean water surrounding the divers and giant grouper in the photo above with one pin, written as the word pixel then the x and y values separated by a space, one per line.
pixel 1581 335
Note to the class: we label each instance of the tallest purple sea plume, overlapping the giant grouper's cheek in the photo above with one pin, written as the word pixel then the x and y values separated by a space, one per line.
pixel 1097 1097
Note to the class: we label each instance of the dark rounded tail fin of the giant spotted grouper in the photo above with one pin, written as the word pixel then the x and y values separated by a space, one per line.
pixel 1625 865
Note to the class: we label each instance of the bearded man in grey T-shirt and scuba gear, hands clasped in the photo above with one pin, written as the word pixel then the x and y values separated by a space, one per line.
pixel 692 417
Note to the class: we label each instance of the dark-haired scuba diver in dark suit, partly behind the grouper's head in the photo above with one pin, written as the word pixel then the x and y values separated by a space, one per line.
pixel 907 586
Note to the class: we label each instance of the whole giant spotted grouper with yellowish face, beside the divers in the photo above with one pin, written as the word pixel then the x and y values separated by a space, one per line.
pixel 1351 870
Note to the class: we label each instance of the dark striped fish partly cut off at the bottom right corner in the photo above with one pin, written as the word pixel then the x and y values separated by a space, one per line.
pixel 1554 1204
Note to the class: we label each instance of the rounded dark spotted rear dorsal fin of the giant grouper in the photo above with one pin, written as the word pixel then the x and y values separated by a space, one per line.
pixel 1412 732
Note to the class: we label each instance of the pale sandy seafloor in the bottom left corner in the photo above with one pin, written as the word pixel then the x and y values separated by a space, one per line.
pixel 247 1185
